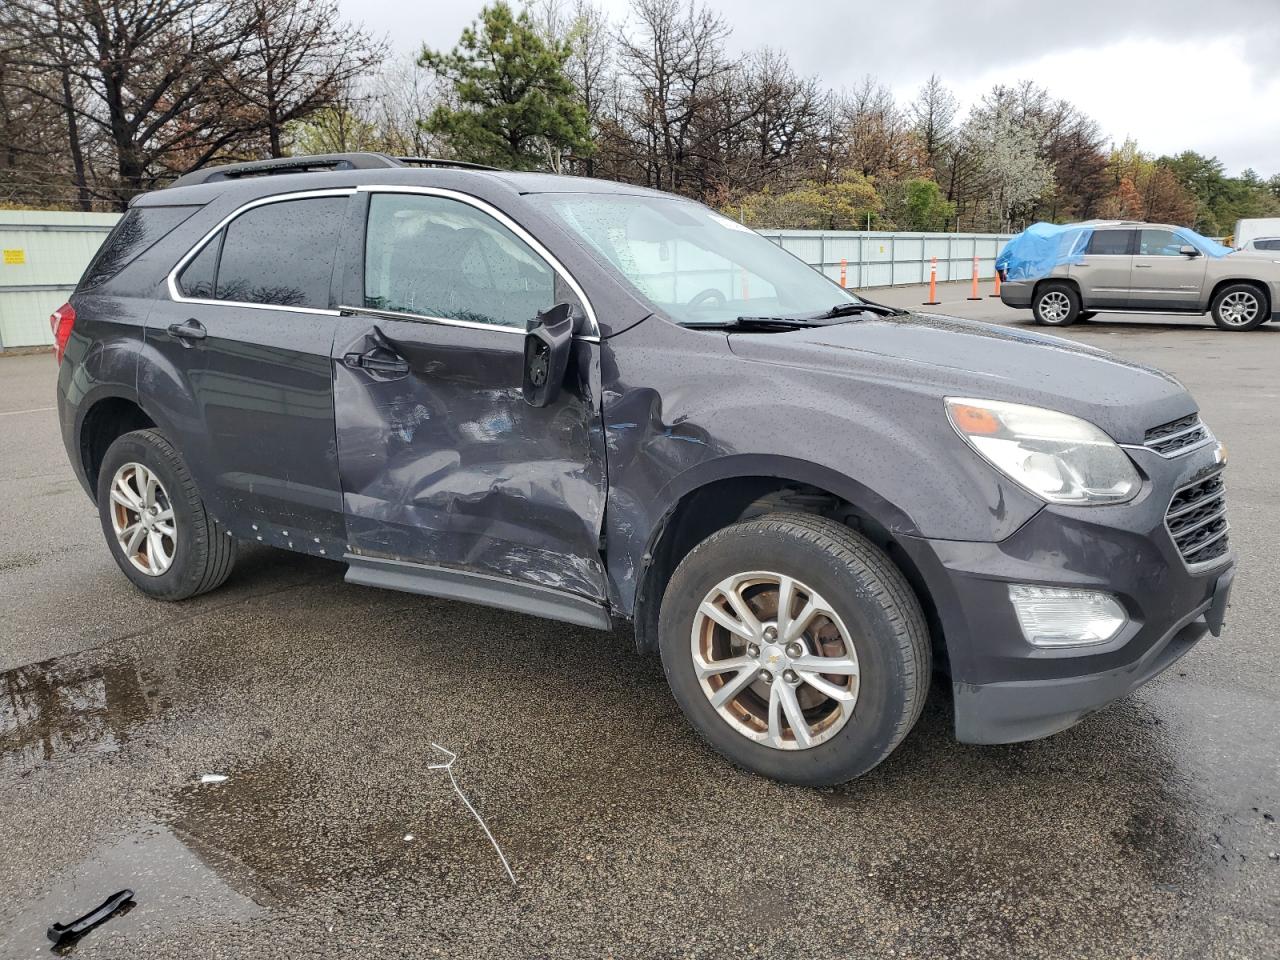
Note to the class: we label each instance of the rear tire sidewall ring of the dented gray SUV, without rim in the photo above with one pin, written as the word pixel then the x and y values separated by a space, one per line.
pixel 189 554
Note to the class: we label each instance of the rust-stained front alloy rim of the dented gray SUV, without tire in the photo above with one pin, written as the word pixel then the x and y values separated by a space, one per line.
pixel 775 661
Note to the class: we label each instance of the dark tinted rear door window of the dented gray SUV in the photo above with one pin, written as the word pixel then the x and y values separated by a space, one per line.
pixel 278 254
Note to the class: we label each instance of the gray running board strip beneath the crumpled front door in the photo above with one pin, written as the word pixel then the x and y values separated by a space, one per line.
pixel 477 588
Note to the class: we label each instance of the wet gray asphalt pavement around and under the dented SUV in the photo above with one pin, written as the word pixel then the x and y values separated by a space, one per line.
pixel 1149 831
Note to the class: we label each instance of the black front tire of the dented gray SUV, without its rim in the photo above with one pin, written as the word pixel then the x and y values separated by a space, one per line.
pixel 883 684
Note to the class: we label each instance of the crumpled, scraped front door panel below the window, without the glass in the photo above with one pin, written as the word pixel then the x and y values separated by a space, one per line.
pixel 447 465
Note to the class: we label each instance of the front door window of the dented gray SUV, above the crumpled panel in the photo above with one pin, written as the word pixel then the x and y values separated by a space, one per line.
pixel 435 257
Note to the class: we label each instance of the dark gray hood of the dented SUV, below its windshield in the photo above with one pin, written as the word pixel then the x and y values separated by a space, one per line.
pixel 954 358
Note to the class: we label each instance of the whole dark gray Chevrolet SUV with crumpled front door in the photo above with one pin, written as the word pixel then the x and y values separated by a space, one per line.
pixel 606 405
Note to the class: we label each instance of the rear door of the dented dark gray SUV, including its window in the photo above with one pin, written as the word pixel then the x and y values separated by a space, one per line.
pixel 244 349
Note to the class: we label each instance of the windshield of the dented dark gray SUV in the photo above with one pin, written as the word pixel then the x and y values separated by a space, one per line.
pixel 689 262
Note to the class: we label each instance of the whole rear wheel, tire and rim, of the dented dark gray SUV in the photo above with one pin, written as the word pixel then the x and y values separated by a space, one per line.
pixel 181 551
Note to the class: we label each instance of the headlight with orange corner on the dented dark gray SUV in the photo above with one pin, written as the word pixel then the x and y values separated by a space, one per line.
pixel 1055 456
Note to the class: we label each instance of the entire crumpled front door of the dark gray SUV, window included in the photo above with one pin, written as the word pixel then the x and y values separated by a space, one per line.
pixel 442 461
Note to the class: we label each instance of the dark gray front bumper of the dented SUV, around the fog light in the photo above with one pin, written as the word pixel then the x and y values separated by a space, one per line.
pixel 1009 691
